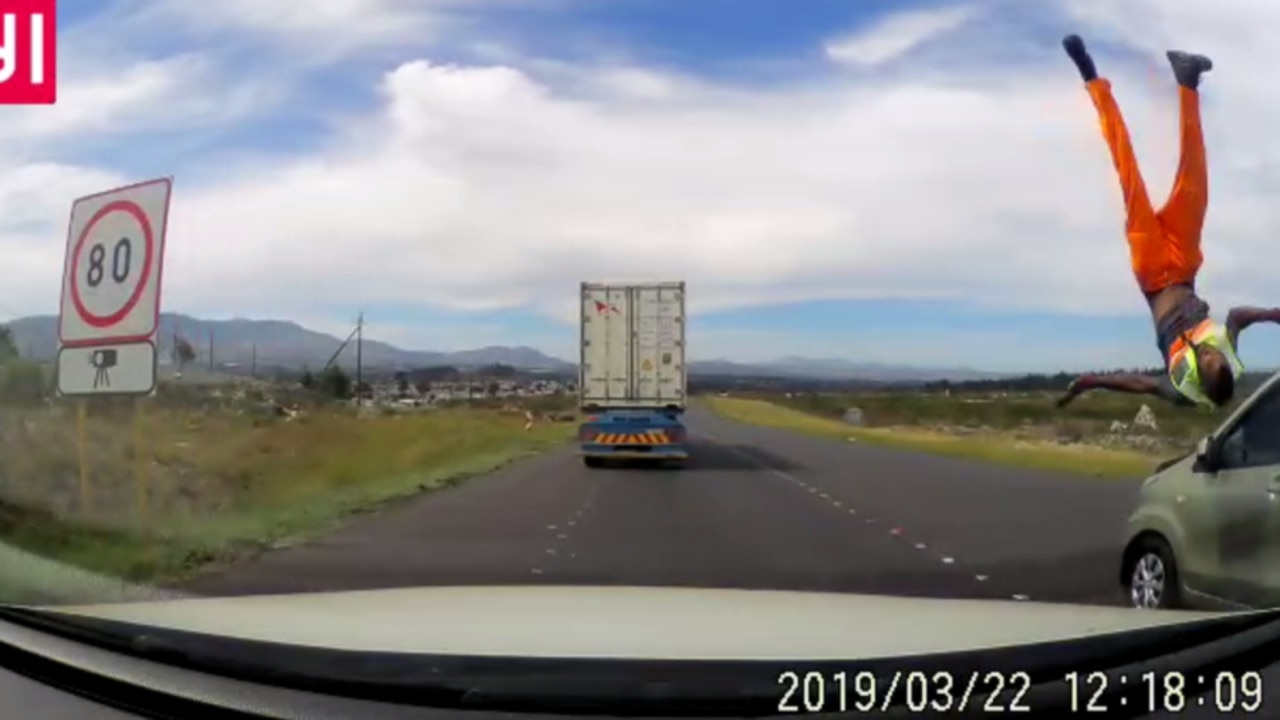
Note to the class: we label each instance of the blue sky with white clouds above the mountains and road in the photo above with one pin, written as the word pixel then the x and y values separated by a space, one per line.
pixel 884 181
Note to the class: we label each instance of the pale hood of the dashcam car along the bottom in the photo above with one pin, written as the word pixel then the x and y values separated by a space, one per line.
pixel 632 623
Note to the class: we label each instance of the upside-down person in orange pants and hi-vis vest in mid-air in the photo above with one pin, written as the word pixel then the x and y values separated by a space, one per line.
pixel 1165 252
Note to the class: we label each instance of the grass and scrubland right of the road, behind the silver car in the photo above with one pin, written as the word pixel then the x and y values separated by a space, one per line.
pixel 1100 435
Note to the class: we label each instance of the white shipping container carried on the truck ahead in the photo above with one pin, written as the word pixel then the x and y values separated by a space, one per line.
pixel 633 345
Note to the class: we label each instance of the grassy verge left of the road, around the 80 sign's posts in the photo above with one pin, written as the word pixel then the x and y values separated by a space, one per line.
pixel 225 482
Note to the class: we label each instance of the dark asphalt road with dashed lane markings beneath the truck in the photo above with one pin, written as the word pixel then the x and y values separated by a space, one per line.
pixel 755 509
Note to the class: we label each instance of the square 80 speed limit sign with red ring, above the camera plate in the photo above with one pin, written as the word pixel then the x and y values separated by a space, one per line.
pixel 113 266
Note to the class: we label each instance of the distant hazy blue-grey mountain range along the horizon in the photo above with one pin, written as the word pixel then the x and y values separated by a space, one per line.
pixel 281 344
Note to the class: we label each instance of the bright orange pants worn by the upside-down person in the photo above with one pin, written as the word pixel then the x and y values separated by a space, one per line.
pixel 1164 247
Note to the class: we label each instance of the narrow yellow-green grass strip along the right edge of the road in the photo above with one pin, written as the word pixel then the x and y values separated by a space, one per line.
pixel 993 445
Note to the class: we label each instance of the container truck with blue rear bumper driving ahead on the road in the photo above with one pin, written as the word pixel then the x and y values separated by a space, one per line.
pixel 633 381
